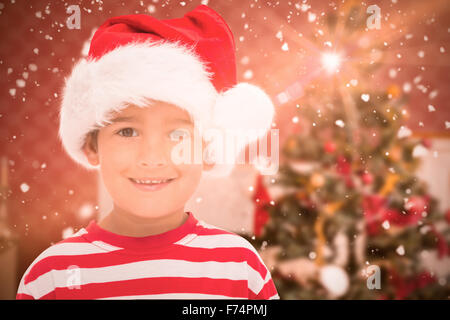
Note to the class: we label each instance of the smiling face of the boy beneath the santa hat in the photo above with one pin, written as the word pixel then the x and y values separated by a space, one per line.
pixel 138 145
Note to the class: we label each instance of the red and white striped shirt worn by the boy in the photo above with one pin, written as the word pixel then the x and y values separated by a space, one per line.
pixel 194 261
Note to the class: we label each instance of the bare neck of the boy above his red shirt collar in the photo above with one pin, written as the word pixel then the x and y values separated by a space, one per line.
pixel 122 223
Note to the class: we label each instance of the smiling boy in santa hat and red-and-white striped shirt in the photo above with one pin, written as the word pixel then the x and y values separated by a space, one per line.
pixel 146 86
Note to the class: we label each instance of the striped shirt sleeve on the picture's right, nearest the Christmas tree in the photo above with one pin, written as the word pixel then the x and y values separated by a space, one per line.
pixel 260 283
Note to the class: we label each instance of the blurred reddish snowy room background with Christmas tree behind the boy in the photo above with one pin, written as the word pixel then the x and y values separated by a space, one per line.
pixel 359 208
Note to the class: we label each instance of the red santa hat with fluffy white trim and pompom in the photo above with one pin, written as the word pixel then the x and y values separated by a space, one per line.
pixel 189 62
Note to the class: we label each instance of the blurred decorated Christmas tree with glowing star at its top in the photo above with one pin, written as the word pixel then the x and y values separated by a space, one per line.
pixel 345 217
